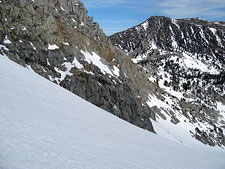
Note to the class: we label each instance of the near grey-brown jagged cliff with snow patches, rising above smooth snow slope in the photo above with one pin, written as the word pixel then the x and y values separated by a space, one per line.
pixel 58 40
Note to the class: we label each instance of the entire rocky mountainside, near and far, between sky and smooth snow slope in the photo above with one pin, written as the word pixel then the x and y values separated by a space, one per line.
pixel 59 41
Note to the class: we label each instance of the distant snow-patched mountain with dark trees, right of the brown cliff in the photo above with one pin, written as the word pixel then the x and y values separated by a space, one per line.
pixel 184 60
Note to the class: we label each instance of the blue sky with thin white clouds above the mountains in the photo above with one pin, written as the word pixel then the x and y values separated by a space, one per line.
pixel 118 15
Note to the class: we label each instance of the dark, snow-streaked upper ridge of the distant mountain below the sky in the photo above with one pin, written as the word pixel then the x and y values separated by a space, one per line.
pixel 191 35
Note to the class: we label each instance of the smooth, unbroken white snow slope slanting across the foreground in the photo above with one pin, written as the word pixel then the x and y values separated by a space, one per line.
pixel 44 126
